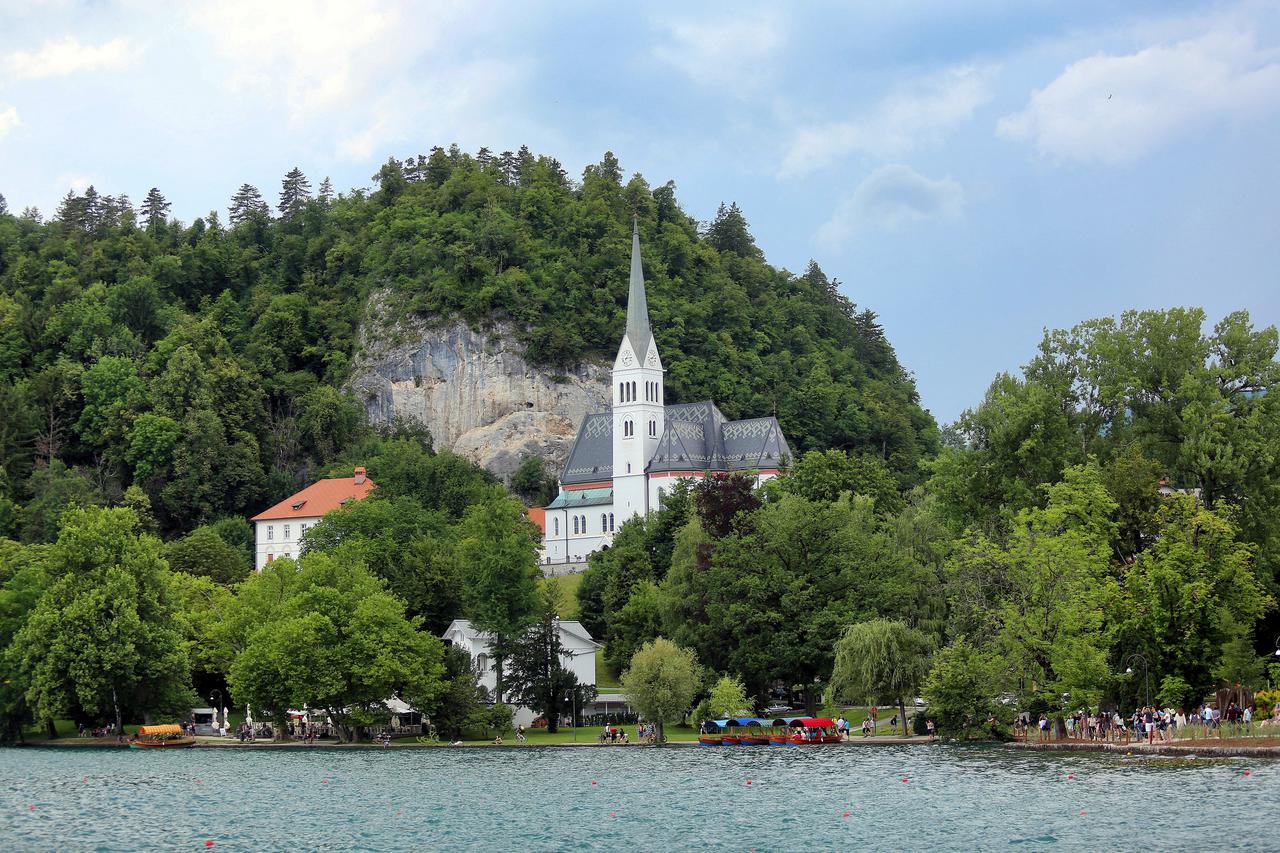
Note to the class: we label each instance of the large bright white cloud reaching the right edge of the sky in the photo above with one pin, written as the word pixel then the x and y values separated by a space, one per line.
pixel 1116 110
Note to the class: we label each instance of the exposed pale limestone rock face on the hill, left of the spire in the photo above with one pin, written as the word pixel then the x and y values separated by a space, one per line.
pixel 473 390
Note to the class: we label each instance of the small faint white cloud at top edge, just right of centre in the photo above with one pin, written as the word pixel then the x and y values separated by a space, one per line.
pixel 729 54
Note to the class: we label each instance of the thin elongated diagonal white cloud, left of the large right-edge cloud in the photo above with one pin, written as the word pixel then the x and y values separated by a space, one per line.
pixel 908 118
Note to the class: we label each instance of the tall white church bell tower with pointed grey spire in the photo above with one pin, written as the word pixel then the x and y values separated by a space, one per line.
pixel 638 399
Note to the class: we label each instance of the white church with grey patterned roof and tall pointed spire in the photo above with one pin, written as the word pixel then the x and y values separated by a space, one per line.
pixel 625 459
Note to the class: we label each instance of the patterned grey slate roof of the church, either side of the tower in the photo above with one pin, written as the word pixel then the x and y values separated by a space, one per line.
pixel 696 439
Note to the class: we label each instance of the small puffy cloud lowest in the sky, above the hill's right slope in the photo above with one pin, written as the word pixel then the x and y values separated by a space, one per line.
pixel 889 198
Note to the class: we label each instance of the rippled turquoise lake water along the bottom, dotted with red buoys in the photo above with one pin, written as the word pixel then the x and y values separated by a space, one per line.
pixel 644 800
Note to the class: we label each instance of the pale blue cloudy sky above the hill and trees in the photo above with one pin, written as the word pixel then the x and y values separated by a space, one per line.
pixel 972 172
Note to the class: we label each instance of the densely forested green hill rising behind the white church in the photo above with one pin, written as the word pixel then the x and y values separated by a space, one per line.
pixel 199 367
